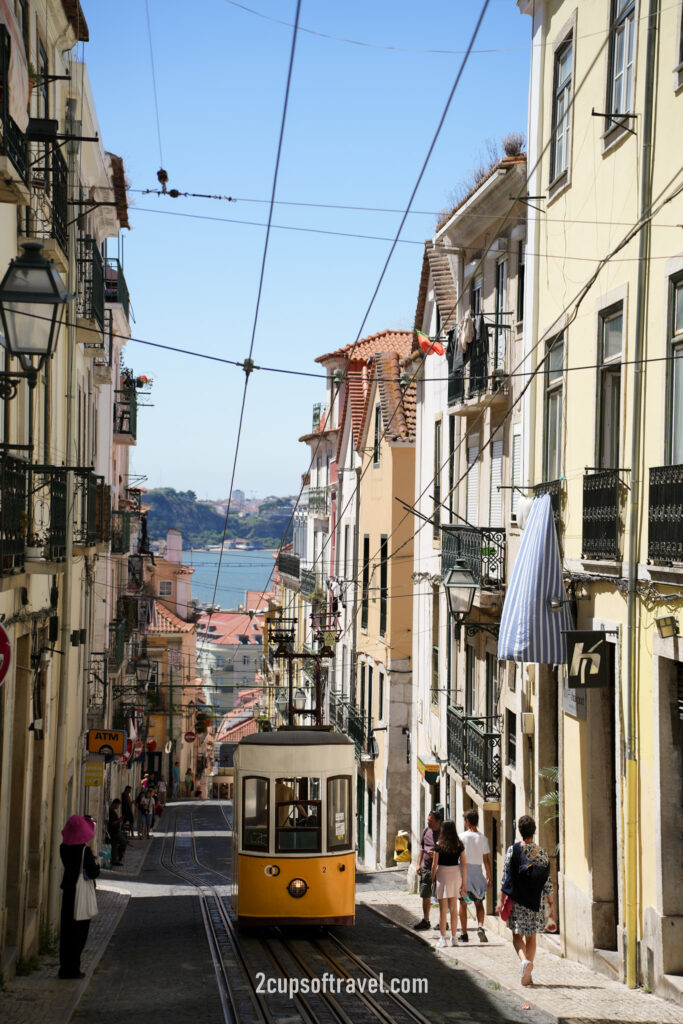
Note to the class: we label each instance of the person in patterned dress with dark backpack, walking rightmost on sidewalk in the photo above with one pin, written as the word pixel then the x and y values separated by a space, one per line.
pixel 527 882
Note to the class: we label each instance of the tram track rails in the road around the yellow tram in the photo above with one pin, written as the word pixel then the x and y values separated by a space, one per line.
pixel 294 967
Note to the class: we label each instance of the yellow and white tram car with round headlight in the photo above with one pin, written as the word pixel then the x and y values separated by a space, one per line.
pixel 293 829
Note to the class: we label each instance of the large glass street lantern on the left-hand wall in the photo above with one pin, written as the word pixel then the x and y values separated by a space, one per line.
pixel 32 303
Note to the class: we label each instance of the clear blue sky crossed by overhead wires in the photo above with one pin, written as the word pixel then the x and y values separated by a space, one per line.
pixel 360 123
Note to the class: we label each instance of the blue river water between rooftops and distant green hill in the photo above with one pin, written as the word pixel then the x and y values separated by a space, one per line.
pixel 240 571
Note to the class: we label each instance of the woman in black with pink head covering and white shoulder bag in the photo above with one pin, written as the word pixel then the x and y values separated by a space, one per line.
pixel 76 836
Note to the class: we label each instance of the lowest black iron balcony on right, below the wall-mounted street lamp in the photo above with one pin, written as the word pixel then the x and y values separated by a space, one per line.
pixel 475 752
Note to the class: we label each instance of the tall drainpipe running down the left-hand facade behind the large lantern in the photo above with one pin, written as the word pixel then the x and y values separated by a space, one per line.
pixel 61 754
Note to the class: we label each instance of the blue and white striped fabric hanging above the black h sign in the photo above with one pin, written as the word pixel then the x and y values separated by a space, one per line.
pixel 531 630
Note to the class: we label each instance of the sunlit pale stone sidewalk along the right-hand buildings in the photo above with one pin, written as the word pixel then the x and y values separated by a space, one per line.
pixel 566 991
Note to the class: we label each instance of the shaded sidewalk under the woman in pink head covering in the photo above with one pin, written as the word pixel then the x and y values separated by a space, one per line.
pixel 40 996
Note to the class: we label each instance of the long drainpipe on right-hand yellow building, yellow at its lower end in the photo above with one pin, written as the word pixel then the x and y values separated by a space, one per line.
pixel 632 645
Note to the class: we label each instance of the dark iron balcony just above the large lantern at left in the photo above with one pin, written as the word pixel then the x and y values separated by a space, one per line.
pixel 47 217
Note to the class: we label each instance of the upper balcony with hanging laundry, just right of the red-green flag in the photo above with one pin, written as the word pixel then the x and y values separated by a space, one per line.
pixel 484 375
